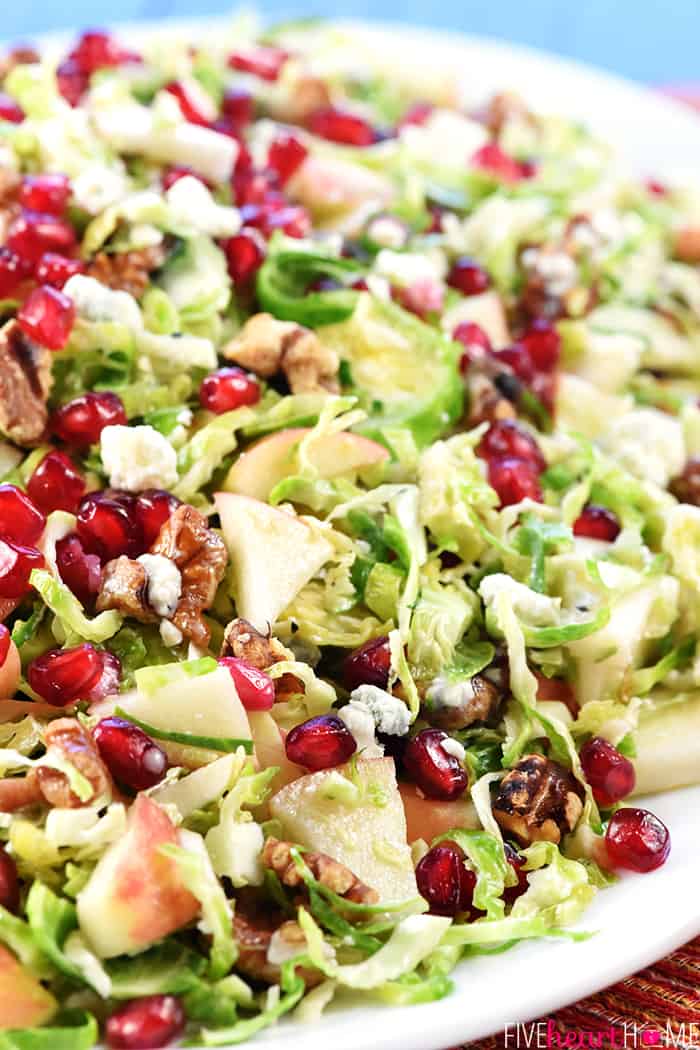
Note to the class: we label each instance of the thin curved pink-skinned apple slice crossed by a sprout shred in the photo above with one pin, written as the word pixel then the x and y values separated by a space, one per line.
pixel 267 463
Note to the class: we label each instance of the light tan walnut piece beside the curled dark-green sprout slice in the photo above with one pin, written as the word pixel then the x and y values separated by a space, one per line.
pixel 267 346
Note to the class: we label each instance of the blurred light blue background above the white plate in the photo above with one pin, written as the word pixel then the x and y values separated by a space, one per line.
pixel 648 40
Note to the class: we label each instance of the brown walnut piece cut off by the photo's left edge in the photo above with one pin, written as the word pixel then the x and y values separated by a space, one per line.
pixel 26 381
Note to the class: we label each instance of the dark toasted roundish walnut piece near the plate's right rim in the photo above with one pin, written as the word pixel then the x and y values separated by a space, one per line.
pixel 539 801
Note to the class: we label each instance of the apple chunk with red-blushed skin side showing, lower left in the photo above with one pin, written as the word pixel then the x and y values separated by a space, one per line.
pixel 136 896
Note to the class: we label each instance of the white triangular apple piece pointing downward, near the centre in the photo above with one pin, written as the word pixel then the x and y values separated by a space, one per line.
pixel 273 555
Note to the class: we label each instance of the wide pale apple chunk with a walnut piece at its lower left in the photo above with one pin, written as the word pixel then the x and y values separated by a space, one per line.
pixel 363 827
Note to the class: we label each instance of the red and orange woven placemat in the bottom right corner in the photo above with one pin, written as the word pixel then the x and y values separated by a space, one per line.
pixel 657 1007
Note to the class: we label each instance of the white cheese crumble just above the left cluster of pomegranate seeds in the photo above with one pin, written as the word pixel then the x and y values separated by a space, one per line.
pixel 136 458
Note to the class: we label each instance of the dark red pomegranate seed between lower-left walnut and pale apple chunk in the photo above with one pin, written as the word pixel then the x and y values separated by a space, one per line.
pixel 131 755
